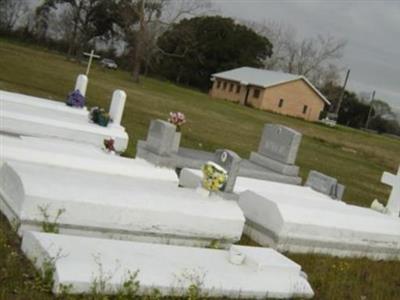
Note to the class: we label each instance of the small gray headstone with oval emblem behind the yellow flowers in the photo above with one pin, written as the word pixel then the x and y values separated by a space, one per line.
pixel 230 161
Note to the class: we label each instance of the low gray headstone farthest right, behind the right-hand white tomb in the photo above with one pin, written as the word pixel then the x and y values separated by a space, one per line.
pixel 325 184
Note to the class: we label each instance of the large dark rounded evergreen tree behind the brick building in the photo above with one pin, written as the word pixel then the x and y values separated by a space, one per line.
pixel 200 46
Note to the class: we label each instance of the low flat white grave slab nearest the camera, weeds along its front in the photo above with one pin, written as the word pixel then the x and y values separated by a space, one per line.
pixel 170 269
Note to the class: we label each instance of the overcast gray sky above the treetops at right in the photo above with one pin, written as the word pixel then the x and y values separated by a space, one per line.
pixel 372 29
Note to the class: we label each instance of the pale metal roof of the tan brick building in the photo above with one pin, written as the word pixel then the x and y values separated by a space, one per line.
pixel 263 78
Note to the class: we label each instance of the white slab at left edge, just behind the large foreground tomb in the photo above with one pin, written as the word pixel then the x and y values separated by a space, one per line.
pixel 80 156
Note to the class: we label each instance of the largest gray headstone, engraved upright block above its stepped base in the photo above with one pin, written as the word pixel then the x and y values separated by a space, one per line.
pixel 280 143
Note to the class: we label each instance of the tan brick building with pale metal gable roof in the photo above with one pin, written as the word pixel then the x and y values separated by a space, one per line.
pixel 282 93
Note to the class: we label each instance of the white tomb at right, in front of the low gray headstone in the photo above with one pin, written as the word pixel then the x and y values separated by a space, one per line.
pixel 300 219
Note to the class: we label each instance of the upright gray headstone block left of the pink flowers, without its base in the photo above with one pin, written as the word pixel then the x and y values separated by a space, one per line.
pixel 160 137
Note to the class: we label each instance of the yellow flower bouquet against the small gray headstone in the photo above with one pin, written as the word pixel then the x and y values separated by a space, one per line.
pixel 214 177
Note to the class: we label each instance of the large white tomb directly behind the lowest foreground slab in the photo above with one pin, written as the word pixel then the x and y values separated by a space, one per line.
pixel 118 207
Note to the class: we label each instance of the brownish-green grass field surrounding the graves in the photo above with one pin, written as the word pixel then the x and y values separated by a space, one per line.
pixel 355 157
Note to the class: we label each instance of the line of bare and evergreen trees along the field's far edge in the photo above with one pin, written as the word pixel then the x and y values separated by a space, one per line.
pixel 180 40
